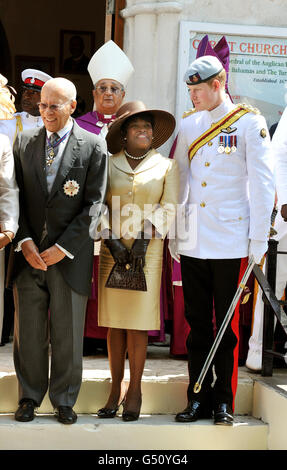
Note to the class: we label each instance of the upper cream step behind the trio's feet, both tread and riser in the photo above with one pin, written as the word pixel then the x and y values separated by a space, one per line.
pixel 164 386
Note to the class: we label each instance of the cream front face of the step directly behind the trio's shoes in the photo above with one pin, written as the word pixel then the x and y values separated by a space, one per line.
pixel 161 395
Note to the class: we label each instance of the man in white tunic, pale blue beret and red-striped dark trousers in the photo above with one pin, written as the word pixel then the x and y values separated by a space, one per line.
pixel 222 149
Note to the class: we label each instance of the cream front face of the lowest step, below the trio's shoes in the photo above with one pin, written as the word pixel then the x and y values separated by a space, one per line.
pixel 153 432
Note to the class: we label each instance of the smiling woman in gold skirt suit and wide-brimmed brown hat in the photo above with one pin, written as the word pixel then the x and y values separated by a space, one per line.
pixel 141 199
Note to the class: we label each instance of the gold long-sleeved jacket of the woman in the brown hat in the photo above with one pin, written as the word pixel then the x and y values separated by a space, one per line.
pixel 147 193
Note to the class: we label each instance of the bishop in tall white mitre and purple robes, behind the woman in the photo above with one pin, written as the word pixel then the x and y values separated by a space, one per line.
pixel 110 70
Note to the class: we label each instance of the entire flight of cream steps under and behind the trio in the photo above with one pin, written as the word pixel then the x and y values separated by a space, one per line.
pixel 260 408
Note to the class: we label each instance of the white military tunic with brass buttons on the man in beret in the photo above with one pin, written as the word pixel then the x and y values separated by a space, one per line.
pixel 231 194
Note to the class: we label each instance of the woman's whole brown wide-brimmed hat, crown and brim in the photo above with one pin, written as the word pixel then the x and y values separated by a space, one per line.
pixel 164 124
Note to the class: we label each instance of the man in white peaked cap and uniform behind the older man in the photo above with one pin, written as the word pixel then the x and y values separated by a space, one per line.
pixel 29 117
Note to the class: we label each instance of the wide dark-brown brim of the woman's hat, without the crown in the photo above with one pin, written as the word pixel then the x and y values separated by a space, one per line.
pixel 164 125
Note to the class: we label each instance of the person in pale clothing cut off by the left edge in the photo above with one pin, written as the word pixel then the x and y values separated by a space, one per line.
pixel 9 199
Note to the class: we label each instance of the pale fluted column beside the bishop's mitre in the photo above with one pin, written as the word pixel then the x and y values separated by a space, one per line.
pixel 151 41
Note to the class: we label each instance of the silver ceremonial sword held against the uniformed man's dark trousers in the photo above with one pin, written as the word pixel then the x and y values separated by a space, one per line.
pixel 197 386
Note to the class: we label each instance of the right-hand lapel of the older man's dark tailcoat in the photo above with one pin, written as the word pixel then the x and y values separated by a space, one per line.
pixel 71 152
